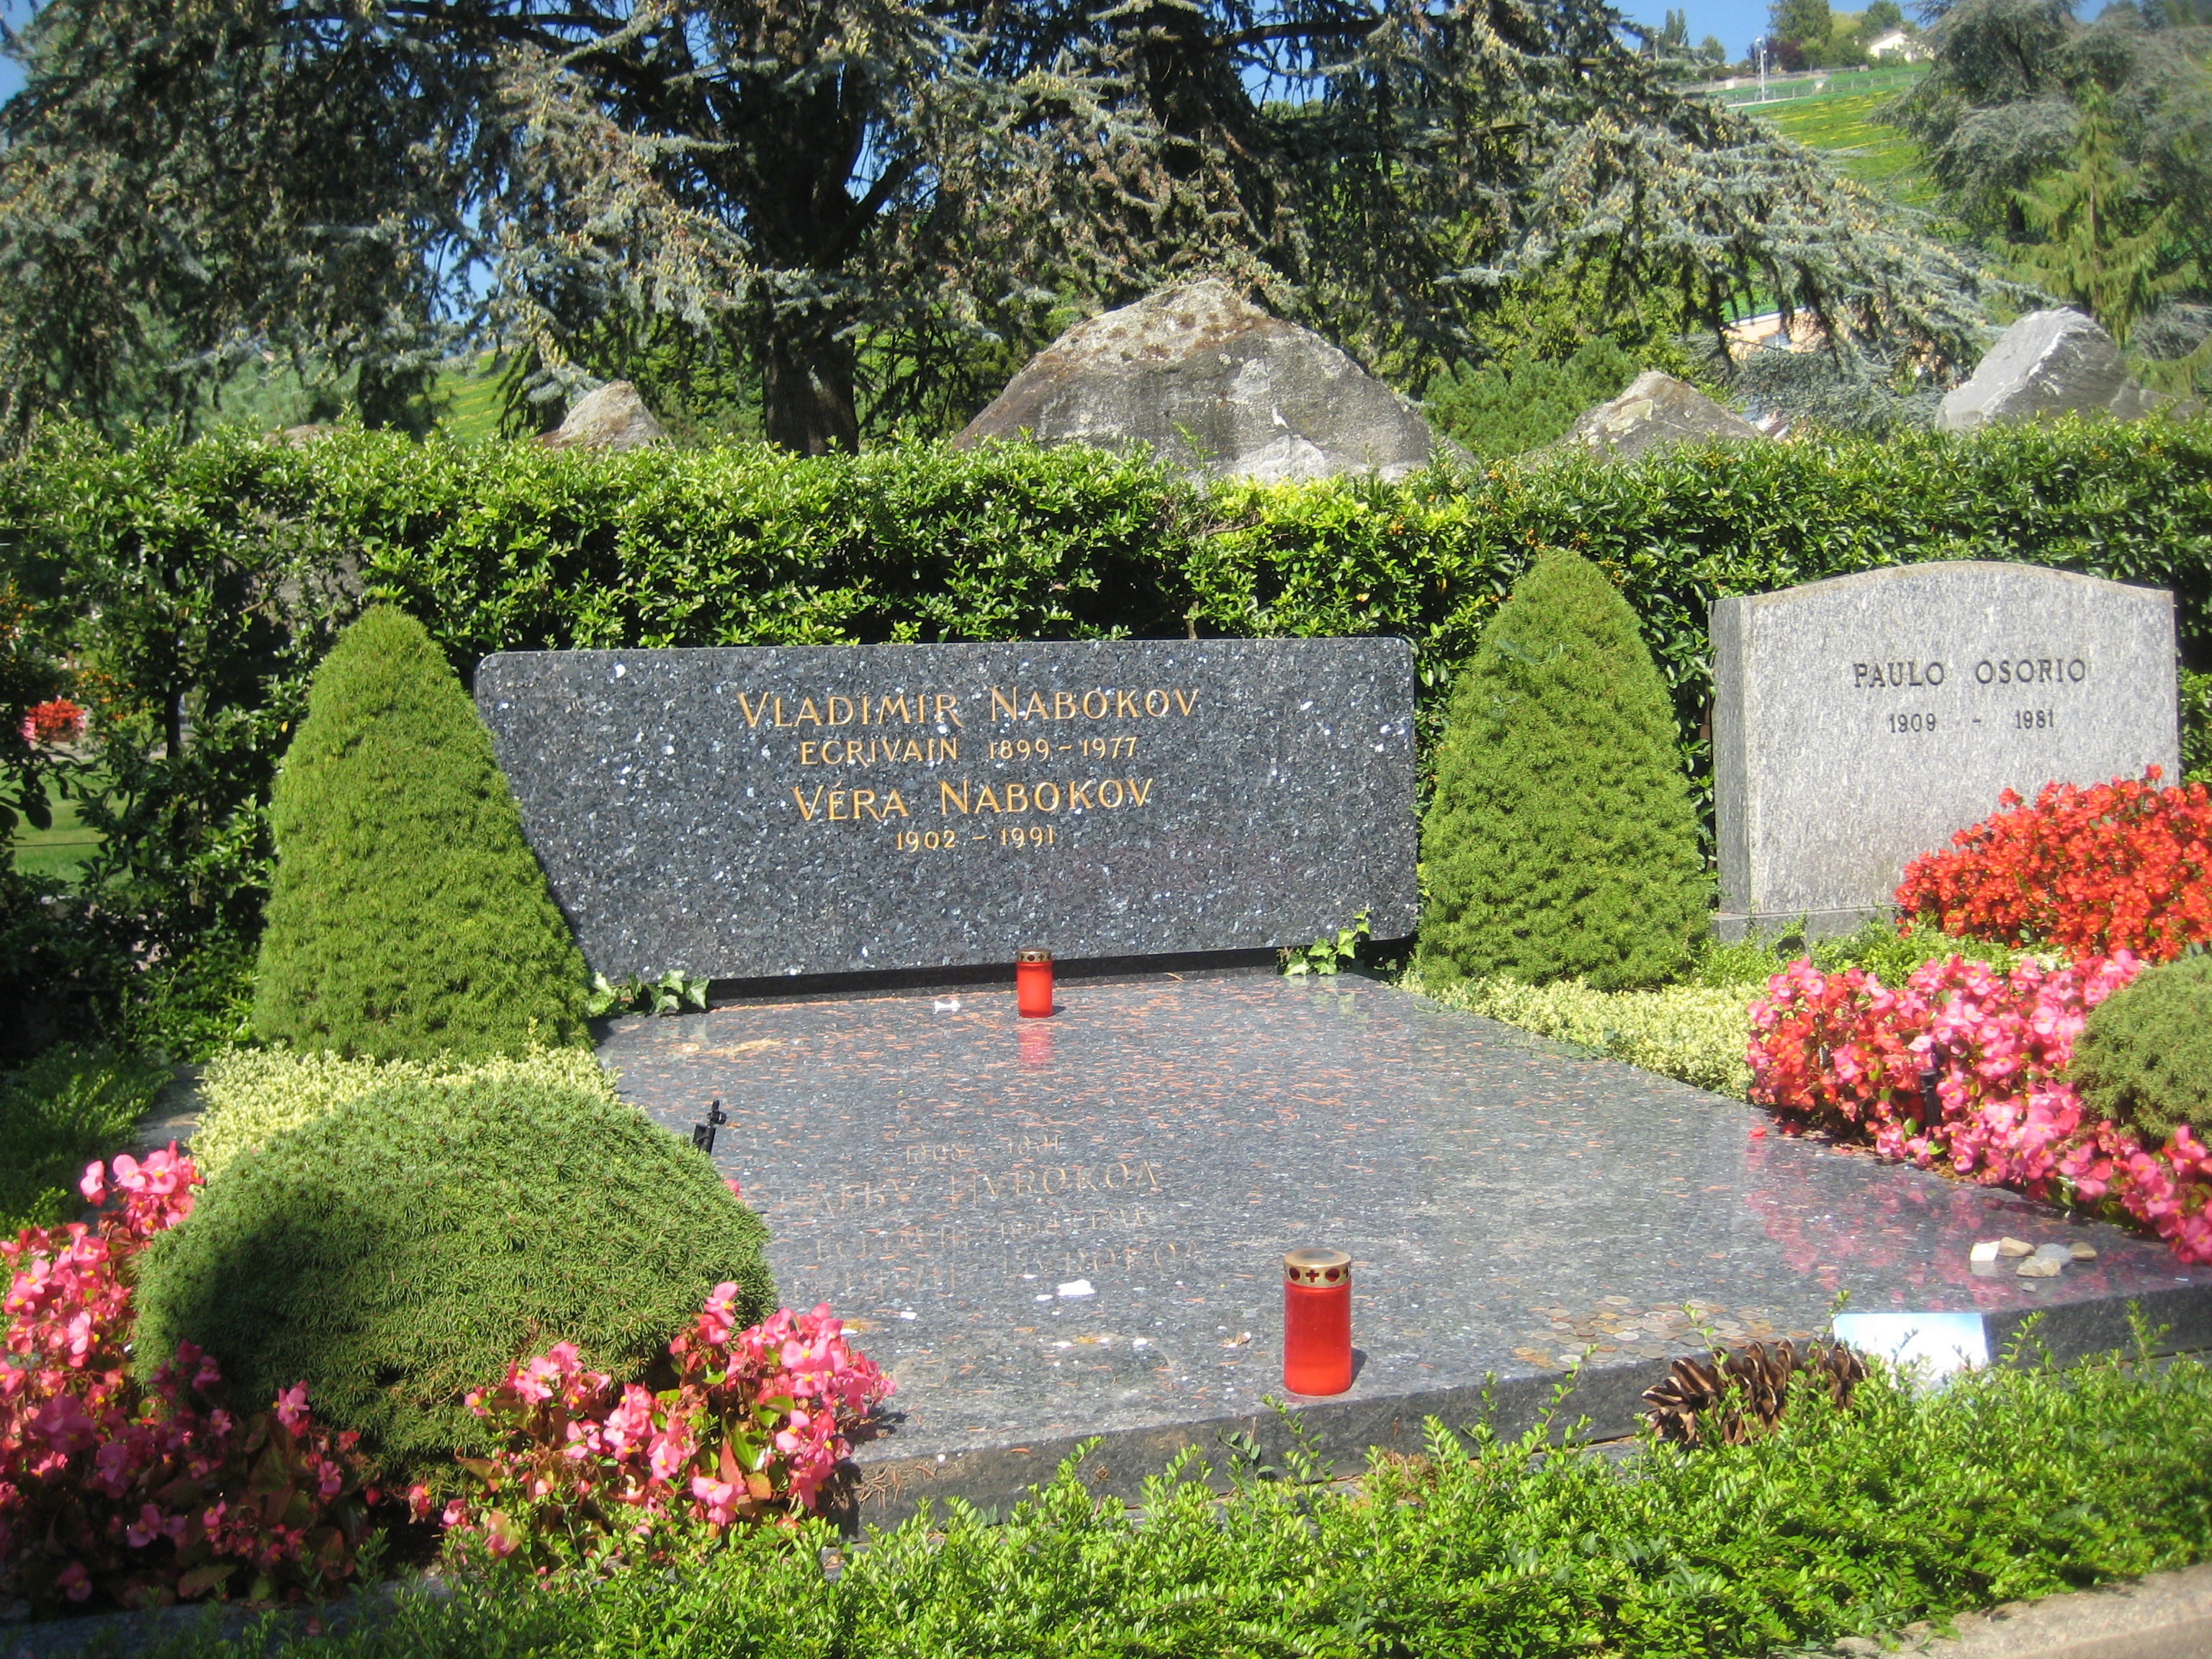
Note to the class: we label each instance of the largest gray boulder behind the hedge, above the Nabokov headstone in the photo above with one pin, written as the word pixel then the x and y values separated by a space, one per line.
pixel 1215 388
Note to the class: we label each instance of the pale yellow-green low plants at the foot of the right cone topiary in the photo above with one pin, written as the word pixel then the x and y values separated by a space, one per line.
pixel 1689 1032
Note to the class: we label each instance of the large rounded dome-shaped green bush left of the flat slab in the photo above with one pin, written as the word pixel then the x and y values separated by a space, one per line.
pixel 417 1242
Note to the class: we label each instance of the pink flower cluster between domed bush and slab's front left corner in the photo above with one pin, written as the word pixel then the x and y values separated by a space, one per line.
pixel 755 1426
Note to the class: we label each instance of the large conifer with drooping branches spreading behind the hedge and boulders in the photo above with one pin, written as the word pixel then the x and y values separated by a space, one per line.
pixel 912 198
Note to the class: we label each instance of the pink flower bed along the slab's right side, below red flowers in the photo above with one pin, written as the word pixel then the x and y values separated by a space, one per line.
pixel 1848 1054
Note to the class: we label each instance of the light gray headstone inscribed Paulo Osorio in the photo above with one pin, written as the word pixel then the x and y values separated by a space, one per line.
pixel 1866 720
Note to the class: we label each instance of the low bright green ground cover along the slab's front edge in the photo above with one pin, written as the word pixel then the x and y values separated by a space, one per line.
pixel 2012 1483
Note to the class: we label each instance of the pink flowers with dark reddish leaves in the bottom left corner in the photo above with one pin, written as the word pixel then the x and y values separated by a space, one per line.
pixel 147 1494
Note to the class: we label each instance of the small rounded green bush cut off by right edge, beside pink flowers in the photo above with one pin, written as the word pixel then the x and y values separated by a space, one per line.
pixel 2145 1058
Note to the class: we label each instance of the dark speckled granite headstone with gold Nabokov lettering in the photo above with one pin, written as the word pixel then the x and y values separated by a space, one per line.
pixel 851 808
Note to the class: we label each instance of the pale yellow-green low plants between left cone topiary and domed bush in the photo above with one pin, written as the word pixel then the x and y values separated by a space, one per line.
pixel 253 1096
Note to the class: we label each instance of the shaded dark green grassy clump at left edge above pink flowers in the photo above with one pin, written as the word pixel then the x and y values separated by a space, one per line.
pixel 56 1116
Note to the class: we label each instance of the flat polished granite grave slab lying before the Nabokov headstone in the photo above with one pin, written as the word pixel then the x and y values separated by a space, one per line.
pixel 948 1173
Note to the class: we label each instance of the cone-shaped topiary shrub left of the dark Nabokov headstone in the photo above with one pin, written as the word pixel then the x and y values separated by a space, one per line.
pixel 408 915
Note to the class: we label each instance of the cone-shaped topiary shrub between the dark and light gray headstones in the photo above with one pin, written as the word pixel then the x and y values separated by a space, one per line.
pixel 1561 839
